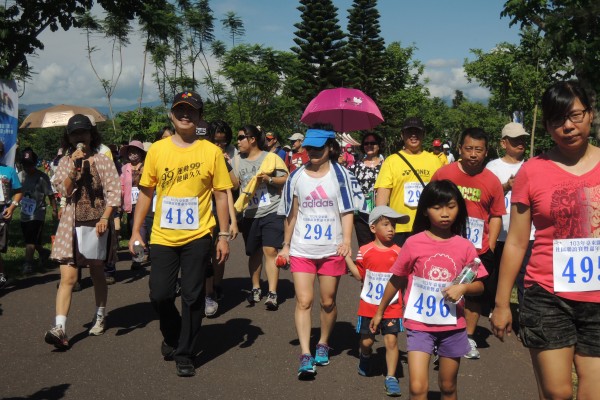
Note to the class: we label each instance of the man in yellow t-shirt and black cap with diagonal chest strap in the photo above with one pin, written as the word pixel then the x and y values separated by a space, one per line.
pixel 397 184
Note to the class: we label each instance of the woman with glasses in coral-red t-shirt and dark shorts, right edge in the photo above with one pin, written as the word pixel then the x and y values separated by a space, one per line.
pixel 560 192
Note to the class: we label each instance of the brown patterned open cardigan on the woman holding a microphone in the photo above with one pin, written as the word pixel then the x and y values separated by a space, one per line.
pixel 106 177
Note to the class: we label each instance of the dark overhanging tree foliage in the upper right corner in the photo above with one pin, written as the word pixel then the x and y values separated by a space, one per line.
pixel 572 29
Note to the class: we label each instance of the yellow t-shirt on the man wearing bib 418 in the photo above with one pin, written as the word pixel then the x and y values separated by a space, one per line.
pixel 184 172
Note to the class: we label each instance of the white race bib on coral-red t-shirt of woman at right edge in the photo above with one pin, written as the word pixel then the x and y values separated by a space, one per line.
pixel 576 265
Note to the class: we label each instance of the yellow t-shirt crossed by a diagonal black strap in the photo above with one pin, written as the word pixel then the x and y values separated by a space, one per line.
pixel 395 174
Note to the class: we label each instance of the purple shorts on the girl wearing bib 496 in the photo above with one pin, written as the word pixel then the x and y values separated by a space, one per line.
pixel 451 344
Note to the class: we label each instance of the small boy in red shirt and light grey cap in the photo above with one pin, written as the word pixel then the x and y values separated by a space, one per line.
pixel 373 263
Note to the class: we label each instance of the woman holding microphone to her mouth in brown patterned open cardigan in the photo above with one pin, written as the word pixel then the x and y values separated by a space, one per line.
pixel 90 183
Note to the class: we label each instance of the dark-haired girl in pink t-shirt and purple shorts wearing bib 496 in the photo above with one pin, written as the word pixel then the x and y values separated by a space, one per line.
pixel 434 315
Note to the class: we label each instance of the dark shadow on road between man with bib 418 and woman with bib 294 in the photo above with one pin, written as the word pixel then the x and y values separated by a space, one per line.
pixel 217 339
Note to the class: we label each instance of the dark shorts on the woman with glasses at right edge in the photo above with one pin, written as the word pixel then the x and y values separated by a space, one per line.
pixel 550 322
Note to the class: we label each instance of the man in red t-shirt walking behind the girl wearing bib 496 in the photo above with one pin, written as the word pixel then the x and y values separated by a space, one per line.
pixel 484 196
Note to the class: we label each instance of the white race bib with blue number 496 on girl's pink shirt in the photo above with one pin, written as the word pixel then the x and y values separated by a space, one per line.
pixel 426 303
